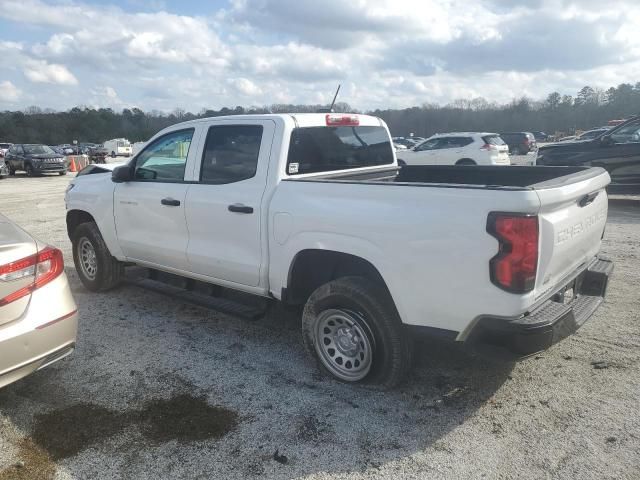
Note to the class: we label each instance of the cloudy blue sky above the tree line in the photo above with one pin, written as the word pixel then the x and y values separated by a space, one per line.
pixel 189 54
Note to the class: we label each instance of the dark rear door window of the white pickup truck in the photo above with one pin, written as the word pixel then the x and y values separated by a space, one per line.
pixel 230 153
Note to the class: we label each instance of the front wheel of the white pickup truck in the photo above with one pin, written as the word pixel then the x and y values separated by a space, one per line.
pixel 99 271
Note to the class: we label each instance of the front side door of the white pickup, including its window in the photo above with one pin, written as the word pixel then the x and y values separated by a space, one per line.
pixel 150 209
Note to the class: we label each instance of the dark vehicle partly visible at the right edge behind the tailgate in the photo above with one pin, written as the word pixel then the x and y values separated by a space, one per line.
pixel 617 150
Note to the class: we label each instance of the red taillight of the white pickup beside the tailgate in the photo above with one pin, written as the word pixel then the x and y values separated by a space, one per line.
pixel 514 267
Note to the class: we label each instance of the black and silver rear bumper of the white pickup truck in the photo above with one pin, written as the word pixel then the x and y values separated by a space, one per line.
pixel 552 321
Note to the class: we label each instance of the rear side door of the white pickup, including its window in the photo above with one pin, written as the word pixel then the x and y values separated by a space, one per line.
pixel 224 206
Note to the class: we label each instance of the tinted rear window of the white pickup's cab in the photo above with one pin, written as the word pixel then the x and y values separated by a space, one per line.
pixel 323 149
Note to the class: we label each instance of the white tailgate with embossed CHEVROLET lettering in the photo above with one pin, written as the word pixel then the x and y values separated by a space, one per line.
pixel 573 214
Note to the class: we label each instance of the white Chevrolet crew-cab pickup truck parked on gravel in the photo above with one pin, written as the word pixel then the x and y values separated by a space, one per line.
pixel 313 210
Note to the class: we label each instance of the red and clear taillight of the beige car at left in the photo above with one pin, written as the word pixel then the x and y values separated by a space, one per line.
pixel 45 266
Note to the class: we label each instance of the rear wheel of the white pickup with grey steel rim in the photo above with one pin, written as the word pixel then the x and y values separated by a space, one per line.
pixel 367 334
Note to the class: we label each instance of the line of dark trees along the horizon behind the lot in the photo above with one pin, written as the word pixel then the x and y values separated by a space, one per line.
pixel 589 108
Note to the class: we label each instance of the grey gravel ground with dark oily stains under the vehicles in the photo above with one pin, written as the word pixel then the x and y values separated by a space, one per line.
pixel 162 389
